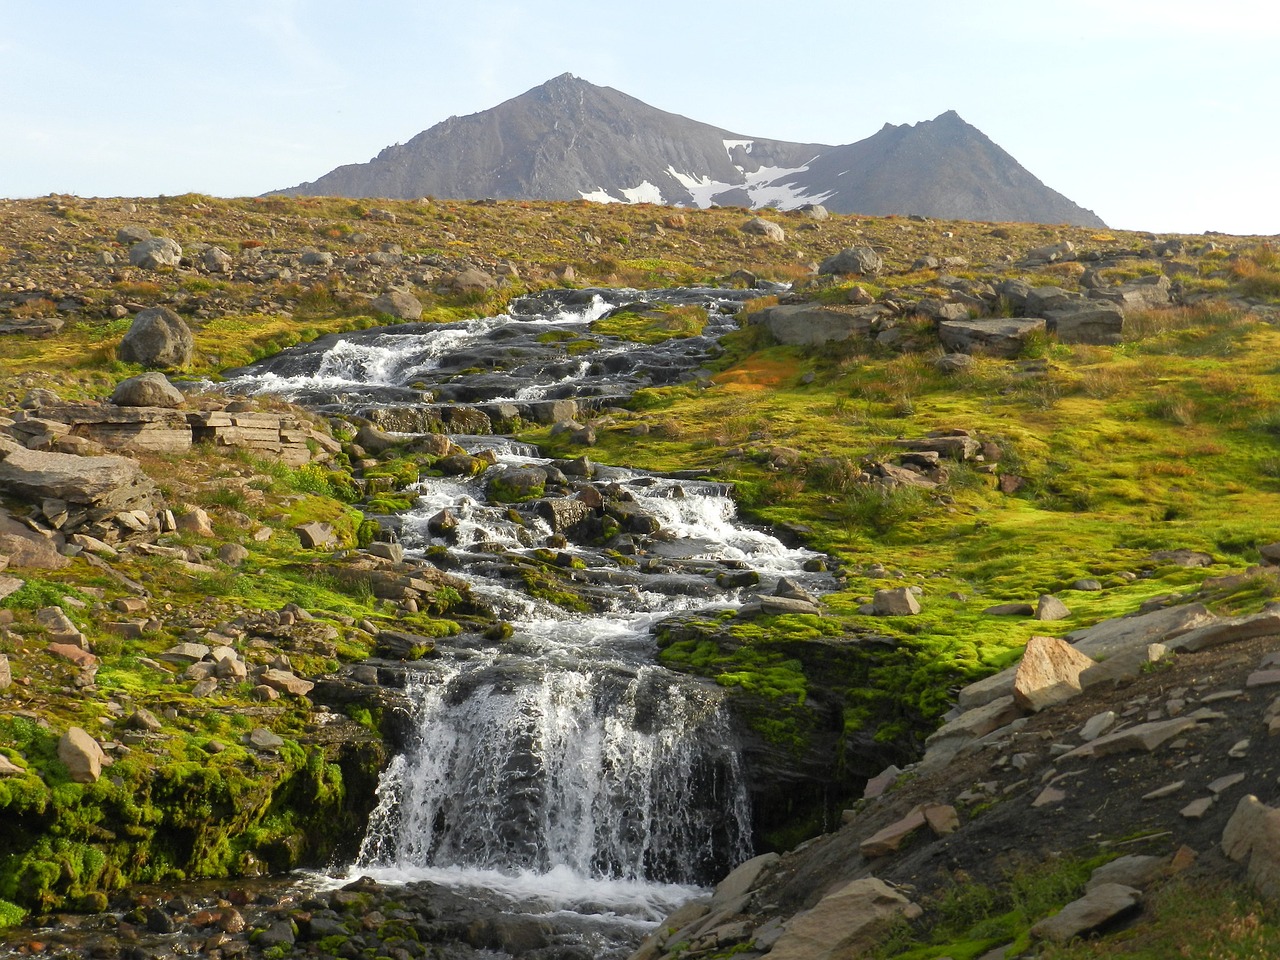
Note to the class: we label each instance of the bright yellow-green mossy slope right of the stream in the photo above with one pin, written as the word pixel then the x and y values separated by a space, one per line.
pixel 1167 441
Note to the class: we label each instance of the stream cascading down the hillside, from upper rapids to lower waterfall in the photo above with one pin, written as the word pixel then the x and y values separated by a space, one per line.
pixel 563 770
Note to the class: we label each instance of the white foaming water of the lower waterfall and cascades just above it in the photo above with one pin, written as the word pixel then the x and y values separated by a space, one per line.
pixel 564 761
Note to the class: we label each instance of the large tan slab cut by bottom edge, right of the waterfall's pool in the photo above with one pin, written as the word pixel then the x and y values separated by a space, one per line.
pixel 844 924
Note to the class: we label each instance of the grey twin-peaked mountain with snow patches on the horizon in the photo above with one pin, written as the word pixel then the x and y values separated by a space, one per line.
pixel 570 140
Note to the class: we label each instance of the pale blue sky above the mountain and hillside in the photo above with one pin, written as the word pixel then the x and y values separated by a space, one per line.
pixel 1156 115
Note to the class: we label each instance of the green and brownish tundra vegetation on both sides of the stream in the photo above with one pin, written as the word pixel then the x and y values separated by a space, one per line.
pixel 1118 455
